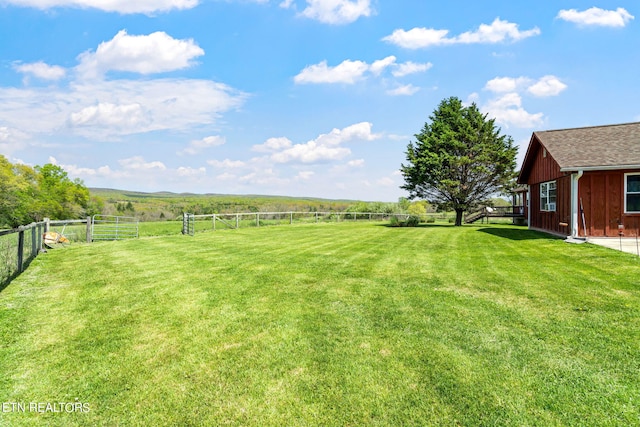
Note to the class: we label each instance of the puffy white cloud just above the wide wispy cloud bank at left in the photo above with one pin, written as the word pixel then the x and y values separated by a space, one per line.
pixel 144 54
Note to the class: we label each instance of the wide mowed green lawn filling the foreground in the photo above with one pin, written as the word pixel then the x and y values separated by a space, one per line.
pixel 329 324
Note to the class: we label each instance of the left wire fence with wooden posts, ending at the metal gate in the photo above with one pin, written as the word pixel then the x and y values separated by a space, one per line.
pixel 19 246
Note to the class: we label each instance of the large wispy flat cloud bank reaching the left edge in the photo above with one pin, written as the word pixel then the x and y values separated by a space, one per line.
pixel 107 109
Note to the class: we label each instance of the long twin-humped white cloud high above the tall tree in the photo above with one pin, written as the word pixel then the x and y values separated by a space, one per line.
pixel 498 31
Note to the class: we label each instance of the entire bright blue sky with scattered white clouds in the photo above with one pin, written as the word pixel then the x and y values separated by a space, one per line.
pixel 311 98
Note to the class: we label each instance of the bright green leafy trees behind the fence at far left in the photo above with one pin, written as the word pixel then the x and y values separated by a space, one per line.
pixel 29 194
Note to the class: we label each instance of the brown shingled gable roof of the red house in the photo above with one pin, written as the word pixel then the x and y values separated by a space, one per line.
pixel 590 148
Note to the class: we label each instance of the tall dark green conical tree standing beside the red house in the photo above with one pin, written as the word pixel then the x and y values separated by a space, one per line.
pixel 459 159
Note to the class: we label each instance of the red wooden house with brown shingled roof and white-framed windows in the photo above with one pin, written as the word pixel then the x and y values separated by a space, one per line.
pixel 584 181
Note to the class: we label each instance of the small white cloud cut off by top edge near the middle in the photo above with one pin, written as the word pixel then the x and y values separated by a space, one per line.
pixel 337 11
